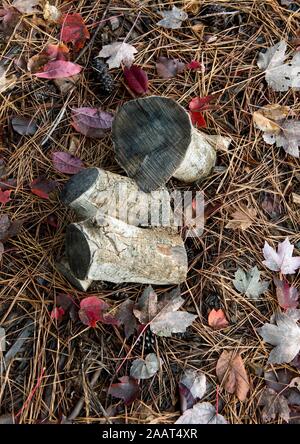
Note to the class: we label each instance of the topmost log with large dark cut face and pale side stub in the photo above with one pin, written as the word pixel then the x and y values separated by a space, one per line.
pixel 154 139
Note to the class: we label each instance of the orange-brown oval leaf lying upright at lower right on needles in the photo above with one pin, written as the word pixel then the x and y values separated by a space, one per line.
pixel 232 374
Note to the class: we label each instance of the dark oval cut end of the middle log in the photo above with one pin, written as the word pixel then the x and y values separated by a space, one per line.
pixel 78 185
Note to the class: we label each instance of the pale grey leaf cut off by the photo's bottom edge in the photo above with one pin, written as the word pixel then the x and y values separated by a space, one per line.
pixel 201 413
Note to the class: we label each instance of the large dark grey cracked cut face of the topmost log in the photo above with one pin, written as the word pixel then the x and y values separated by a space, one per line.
pixel 151 136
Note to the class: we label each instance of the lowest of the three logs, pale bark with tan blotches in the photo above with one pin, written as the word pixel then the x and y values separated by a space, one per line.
pixel 105 248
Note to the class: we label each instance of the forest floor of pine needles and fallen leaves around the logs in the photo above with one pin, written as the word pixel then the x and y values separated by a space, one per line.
pixel 58 362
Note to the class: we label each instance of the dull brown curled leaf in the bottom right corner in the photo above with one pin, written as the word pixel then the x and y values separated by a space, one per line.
pixel 274 405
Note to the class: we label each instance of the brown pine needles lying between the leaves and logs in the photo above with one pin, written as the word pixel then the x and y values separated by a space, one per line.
pixel 69 353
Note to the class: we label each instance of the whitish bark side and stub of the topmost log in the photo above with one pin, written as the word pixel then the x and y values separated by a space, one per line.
pixel 200 157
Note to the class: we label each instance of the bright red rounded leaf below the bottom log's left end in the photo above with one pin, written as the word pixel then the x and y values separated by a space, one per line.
pixel 92 311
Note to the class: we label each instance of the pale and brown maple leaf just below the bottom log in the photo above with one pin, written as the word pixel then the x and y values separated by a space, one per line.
pixel 162 315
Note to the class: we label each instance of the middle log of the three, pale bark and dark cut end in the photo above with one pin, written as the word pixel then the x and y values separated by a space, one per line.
pixel 95 189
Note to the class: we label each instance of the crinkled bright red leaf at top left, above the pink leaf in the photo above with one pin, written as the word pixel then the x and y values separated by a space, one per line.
pixel 74 30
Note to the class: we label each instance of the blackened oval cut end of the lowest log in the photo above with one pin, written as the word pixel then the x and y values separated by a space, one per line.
pixel 77 251
